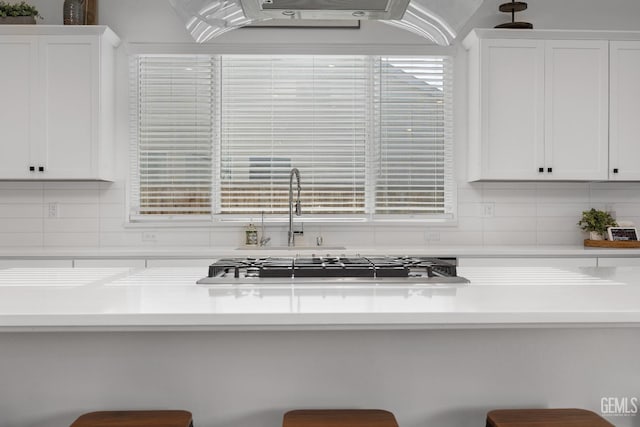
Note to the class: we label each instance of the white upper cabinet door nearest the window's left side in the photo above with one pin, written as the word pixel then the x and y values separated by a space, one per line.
pixel 71 70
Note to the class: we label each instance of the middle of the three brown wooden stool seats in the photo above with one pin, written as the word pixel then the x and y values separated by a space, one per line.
pixel 339 418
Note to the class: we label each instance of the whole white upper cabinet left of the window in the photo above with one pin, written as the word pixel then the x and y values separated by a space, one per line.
pixel 58 114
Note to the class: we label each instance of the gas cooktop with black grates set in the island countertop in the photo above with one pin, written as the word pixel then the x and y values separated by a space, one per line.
pixel 324 269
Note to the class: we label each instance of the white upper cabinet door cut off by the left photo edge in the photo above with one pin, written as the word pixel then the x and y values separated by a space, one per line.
pixel 18 105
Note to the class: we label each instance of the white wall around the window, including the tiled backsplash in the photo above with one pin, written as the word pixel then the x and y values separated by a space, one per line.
pixel 93 214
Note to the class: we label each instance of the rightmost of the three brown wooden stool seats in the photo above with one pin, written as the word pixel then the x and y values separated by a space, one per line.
pixel 545 418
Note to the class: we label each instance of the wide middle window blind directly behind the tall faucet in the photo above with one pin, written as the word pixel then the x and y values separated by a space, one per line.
pixel 279 112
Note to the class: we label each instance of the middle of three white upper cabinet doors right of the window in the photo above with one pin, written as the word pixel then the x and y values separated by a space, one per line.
pixel 577 109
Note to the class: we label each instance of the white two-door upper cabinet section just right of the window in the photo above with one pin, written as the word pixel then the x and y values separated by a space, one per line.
pixel 538 108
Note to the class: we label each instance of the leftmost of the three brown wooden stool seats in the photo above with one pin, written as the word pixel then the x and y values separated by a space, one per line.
pixel 135 419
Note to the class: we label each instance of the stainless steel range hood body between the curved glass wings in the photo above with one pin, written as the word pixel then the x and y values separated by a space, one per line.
pixel 325 9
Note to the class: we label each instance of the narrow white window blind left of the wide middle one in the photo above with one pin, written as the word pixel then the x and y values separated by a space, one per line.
pixel 172 133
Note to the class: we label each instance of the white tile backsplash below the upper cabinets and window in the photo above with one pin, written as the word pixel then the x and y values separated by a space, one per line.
pixel 525 213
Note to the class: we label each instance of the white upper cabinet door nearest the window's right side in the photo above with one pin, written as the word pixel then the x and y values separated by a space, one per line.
pixel 511 106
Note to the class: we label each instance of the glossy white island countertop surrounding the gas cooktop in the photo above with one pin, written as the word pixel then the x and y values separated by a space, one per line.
pixel 68 299
